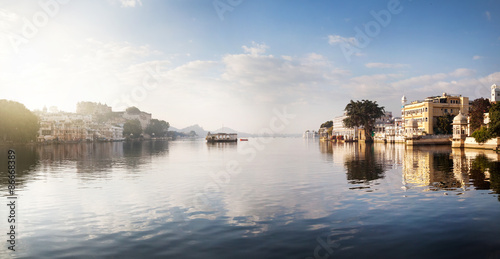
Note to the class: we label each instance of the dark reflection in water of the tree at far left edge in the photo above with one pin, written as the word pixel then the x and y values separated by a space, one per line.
pixel 26 162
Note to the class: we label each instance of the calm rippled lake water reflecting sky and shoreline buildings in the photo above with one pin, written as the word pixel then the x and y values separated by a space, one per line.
pixel 265 198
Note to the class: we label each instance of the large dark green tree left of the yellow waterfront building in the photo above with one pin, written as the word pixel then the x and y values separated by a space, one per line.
pixel 363 114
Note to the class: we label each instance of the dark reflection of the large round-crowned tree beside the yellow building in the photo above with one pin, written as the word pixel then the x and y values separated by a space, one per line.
pixel 363 165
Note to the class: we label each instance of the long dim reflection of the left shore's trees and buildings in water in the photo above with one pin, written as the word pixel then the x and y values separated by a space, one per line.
pixel 92 160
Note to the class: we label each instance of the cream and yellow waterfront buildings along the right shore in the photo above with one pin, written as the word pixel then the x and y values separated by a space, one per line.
pixel 418 123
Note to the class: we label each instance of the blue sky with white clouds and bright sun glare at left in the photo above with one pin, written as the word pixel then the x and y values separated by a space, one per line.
pixel 281 66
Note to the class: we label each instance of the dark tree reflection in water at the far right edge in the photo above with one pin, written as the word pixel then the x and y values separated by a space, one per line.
pixel 479 167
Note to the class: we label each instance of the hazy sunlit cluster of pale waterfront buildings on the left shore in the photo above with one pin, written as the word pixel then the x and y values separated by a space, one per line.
pixel 91 122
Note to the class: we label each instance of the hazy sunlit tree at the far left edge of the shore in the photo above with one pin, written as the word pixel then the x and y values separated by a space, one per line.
pixel 17 124
